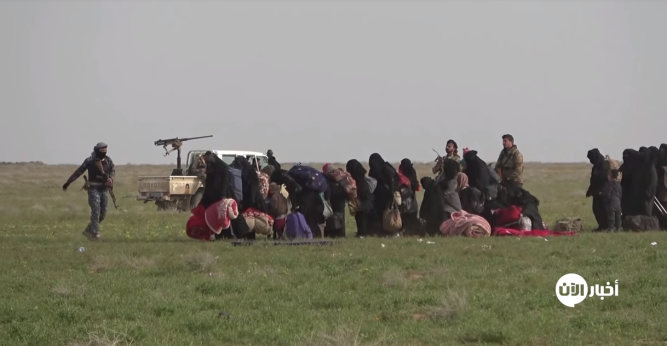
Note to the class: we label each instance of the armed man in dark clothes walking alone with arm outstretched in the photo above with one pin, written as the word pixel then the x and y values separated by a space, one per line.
pixel 101 171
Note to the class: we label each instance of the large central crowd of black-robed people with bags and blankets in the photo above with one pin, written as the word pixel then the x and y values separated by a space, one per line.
pixel 243 202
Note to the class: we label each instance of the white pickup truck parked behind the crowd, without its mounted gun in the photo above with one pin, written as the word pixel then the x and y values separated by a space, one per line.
pixel 183 193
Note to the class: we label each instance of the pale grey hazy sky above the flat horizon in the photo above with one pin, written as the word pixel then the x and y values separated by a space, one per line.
pixel 331 81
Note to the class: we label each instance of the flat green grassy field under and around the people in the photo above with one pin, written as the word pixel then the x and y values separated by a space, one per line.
pixel 146 283
